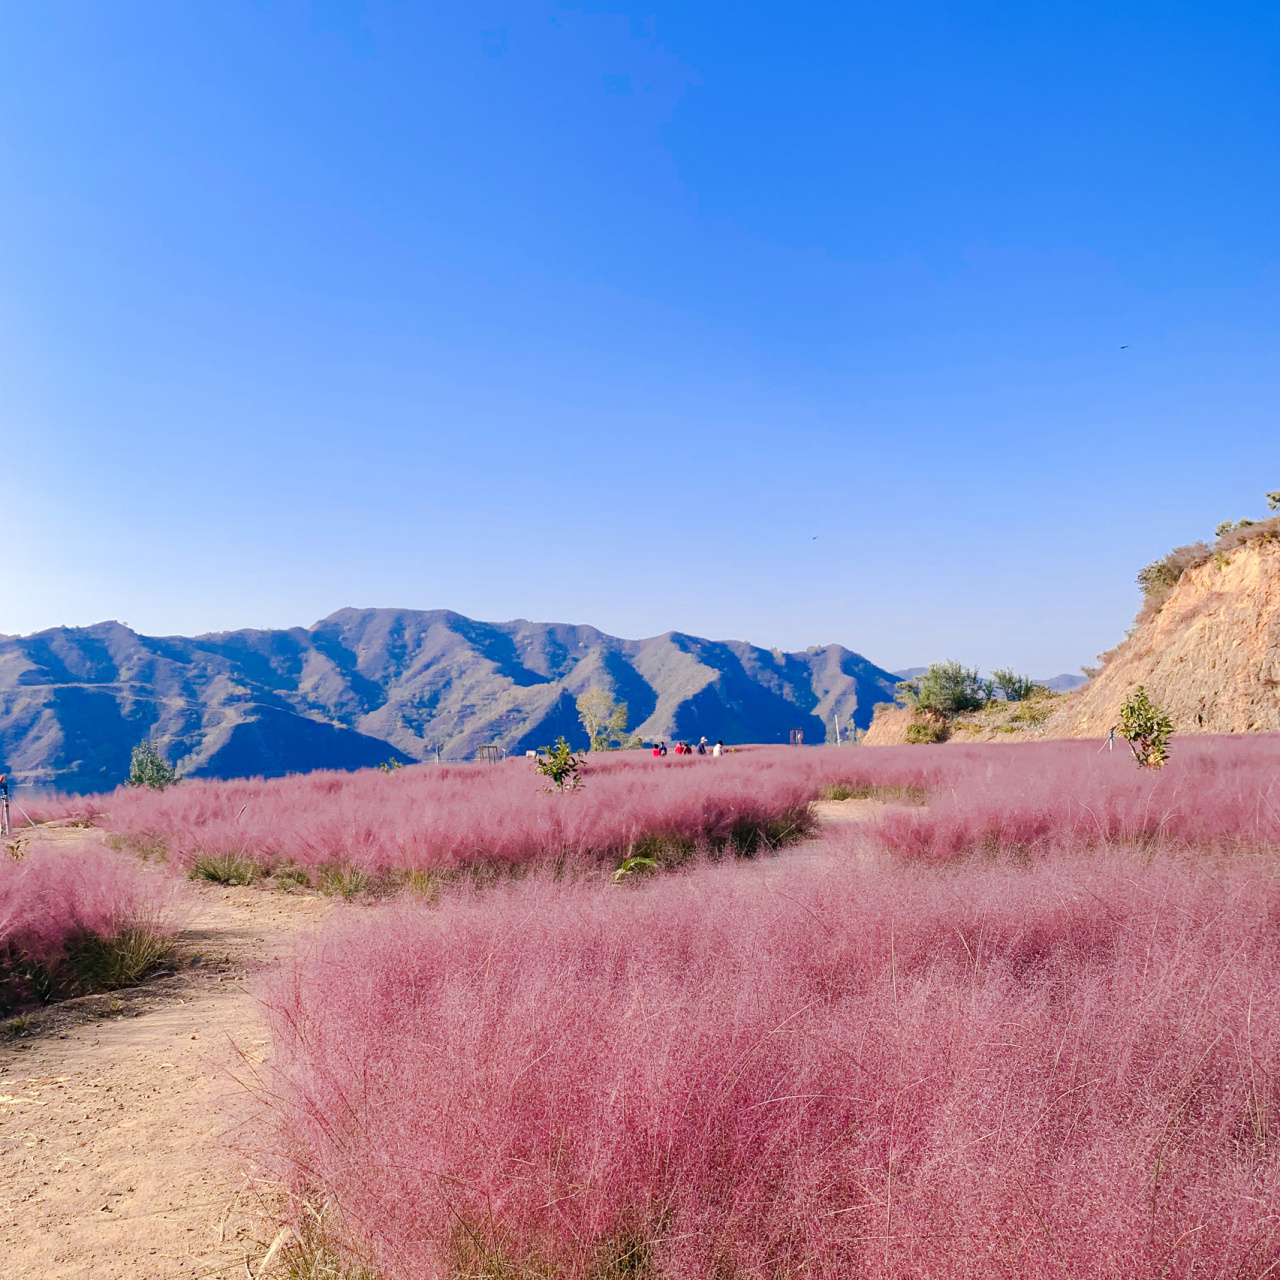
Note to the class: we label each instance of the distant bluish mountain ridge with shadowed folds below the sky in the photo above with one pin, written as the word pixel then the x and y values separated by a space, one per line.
pixel 369 685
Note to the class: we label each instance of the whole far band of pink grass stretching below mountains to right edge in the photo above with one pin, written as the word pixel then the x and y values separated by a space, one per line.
pixel 1222 793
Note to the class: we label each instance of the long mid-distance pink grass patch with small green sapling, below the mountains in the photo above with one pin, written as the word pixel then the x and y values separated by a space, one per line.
pixel 452 819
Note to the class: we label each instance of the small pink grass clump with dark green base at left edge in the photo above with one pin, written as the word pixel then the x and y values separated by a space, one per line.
pixel 62 911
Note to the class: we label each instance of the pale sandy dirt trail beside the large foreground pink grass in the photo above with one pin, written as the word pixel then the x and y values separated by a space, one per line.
pixel 117 1158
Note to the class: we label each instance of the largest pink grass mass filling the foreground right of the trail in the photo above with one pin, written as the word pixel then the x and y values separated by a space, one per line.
pixel 788 1071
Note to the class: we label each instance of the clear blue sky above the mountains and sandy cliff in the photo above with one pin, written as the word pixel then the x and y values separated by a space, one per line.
pixel 787 323
